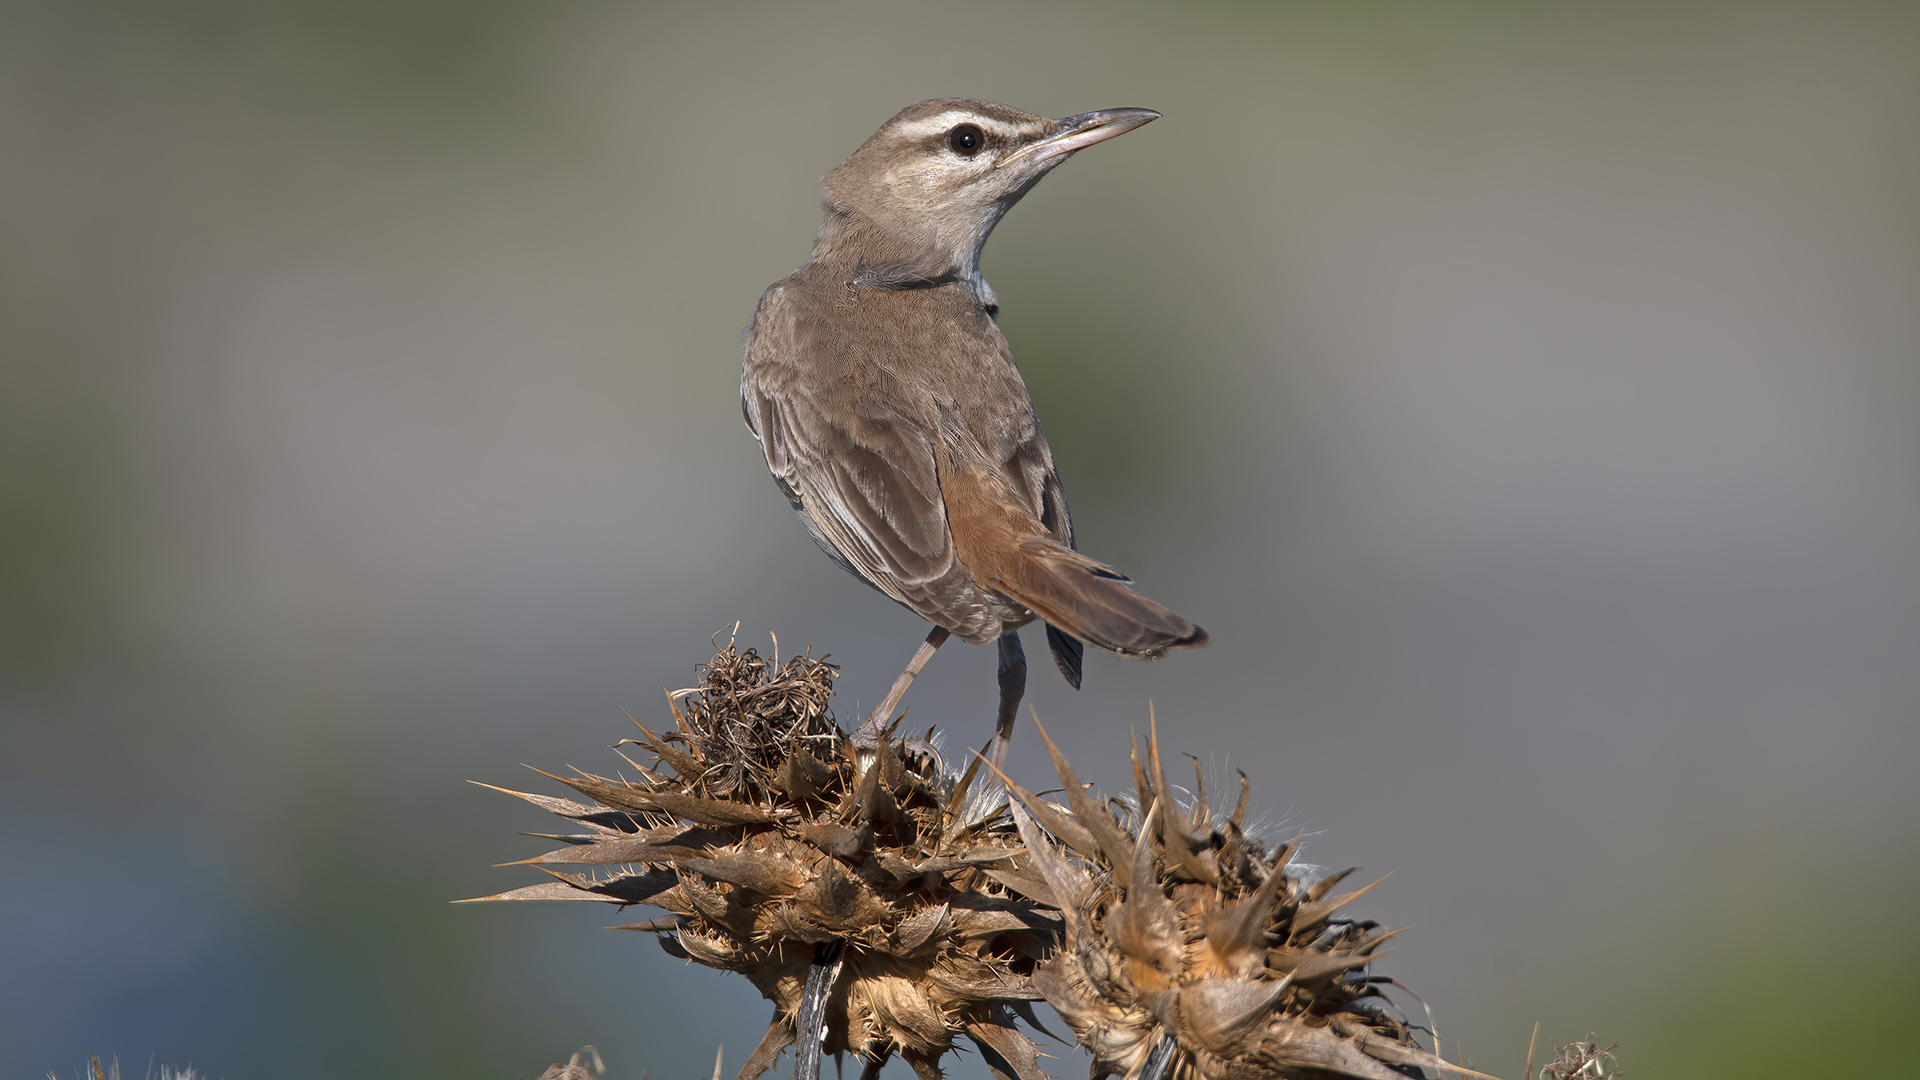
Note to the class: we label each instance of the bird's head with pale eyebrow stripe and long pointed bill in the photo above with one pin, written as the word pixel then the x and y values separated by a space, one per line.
pixel 936 180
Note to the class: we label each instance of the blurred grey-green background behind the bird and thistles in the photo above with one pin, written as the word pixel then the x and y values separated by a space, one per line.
pixel 1525 397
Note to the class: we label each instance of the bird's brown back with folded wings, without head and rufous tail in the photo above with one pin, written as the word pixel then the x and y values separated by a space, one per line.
pixel 859 395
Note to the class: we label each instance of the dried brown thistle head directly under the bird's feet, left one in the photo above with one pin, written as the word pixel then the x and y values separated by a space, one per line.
pixel 775 843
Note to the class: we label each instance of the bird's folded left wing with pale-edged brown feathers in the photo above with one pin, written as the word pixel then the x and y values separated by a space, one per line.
pixel 859 466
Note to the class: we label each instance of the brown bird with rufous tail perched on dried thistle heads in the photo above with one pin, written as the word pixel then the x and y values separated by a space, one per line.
pixel 896 424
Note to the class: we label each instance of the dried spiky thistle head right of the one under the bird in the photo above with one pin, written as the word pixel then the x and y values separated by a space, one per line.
pixel 1191 954
